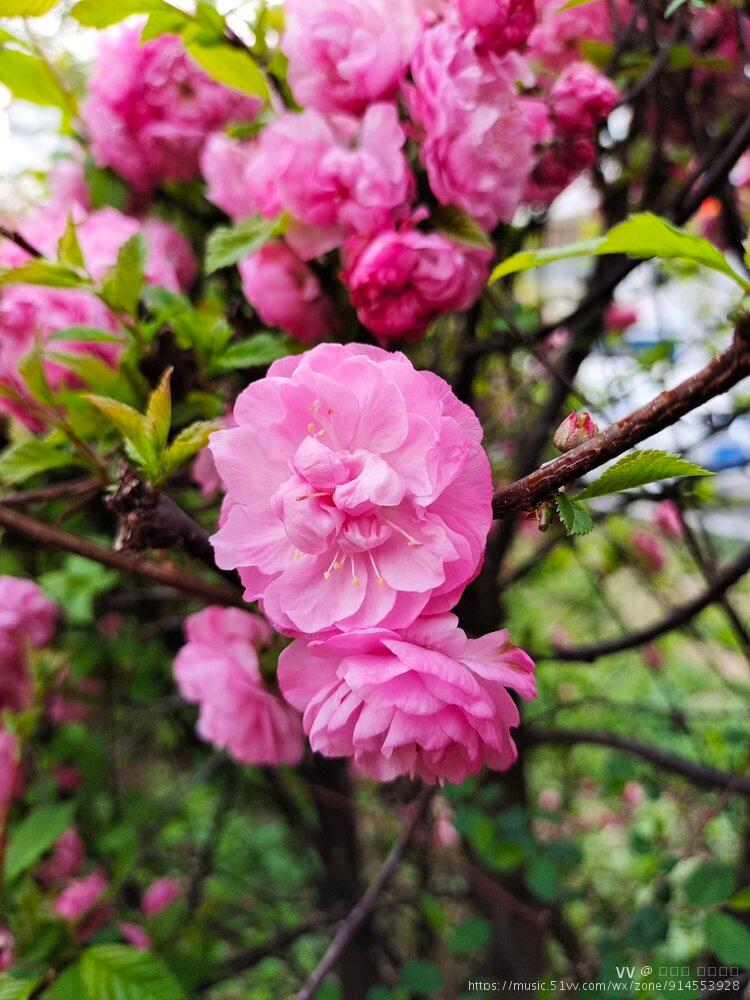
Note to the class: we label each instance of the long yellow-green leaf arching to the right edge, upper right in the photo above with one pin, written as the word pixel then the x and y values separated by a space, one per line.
pixel 642 237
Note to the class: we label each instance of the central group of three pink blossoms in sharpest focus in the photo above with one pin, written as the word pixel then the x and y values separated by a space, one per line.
pixel 358 503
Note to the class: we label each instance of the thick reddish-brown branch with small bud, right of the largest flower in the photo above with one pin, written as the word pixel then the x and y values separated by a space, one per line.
pixel 720 375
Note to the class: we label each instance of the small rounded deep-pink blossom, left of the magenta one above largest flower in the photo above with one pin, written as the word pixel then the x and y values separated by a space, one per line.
pixel 285 293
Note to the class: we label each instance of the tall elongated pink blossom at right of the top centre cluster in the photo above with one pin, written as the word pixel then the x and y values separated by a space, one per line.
pixel 476 146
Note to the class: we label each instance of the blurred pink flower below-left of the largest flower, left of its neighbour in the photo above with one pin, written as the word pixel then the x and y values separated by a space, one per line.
pixel 218 668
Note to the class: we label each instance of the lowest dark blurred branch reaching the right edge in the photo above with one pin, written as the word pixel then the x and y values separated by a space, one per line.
pixel 699 774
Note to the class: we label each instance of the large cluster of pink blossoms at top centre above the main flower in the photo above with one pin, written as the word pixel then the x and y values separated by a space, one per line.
pixel 470 84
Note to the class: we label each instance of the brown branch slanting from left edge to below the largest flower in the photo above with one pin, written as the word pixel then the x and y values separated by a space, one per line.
pixel 165 573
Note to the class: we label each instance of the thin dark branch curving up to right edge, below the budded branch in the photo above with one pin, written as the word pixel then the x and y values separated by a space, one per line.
pixel 722 581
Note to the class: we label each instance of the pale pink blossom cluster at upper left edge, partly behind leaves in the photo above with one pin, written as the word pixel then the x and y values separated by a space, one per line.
pixel 29 313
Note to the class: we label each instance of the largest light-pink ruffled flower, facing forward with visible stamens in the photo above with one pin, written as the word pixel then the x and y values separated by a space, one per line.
pixel 358 493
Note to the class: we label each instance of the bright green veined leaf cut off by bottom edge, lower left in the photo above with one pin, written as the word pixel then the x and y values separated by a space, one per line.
pixel 115 972
